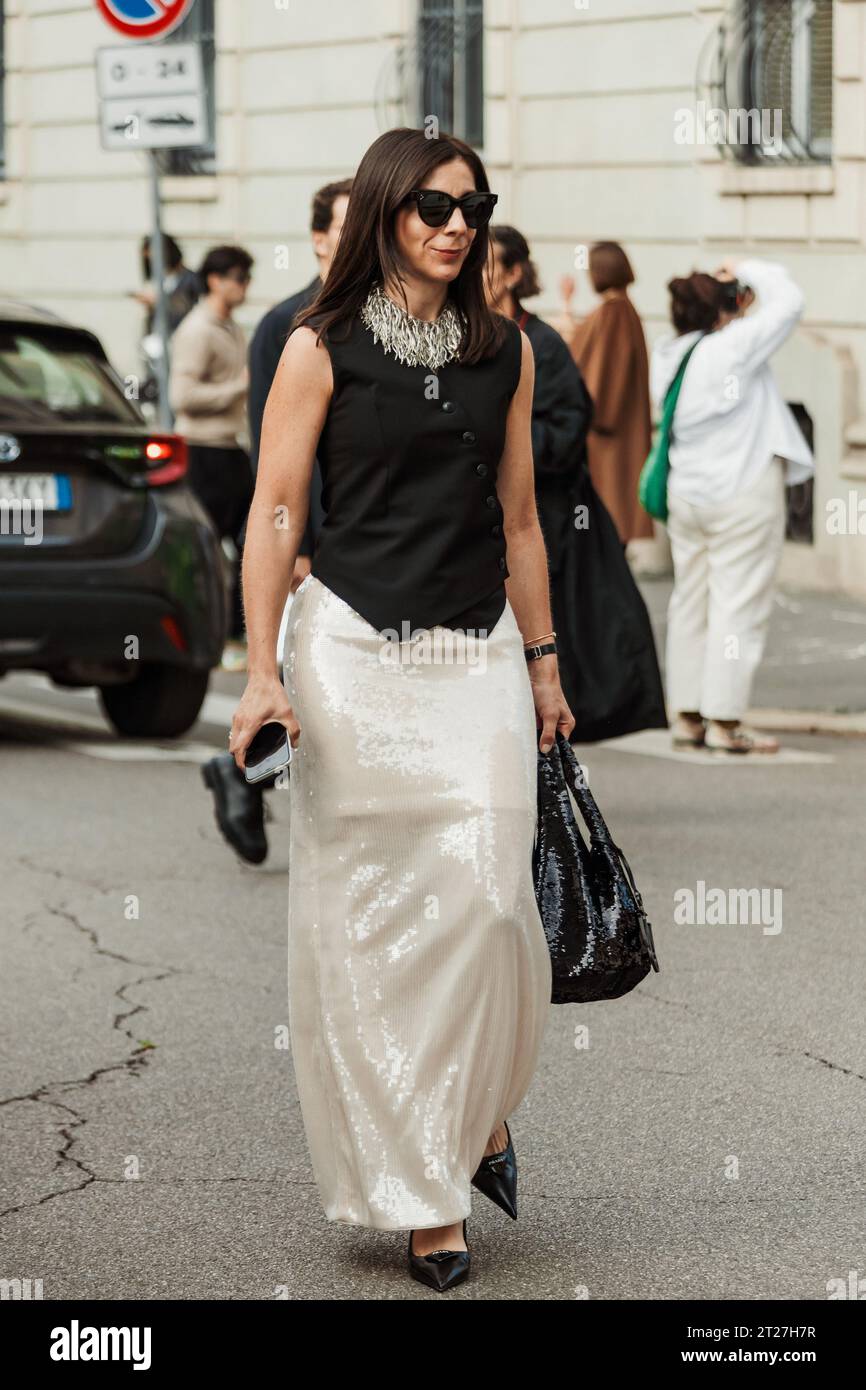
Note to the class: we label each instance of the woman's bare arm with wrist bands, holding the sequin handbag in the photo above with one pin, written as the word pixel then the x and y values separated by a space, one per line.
pixel 528 586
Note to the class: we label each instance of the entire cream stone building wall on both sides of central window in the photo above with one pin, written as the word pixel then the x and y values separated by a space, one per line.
pixel 580 144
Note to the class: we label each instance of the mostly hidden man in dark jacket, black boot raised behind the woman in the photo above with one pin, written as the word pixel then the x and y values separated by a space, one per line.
pixel 238 806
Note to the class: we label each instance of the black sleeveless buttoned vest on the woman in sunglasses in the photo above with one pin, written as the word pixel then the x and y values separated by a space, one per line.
pixel 414 529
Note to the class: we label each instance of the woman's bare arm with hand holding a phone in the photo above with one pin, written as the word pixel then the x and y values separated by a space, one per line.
pixel 293 423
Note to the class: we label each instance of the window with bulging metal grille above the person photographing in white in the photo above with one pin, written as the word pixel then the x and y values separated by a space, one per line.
pixel 769 72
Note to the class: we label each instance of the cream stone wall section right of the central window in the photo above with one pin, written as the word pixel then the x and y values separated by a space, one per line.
pixel 594 94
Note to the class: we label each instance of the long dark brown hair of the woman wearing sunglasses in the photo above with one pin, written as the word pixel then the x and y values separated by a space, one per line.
pixel 395 163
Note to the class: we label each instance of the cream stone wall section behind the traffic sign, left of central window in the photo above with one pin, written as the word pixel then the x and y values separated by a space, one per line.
pixel 294 111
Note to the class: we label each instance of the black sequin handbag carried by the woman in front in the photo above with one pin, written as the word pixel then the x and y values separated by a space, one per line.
pixel 597 929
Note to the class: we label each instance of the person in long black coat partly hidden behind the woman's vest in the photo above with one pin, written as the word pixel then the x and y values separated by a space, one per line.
pixel 607 651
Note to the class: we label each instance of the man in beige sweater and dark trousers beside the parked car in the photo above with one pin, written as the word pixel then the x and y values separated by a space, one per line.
pixel 208 391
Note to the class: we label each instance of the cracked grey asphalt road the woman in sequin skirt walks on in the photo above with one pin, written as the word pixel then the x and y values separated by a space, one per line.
pixel 708 1142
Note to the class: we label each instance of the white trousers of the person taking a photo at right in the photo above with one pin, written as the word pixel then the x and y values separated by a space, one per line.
pixel 726 559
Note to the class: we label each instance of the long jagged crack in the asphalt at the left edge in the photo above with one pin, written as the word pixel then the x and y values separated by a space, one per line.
pixel 133 1065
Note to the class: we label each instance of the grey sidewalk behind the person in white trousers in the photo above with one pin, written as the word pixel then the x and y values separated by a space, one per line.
pixel 814 673
